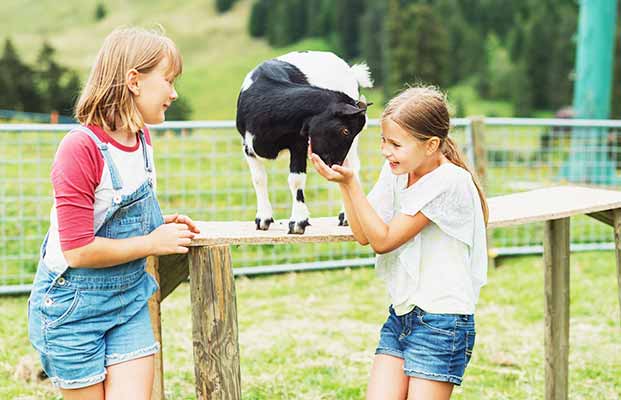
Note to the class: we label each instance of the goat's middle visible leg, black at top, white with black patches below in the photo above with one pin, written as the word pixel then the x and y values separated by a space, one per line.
pixel 297 183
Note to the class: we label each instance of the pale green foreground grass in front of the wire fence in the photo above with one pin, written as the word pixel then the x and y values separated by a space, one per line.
pixel 312 335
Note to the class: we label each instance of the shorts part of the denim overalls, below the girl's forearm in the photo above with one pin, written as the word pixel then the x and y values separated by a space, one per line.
pixel 83 320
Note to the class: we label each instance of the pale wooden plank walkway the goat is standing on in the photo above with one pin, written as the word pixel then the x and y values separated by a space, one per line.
pixel 513 209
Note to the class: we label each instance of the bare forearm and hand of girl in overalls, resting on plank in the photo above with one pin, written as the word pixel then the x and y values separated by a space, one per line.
pixel 172 237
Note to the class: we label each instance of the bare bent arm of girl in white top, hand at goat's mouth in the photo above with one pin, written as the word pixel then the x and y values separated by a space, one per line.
pixel 383 237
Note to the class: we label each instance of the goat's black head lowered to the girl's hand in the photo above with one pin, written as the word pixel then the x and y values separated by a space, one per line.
pixel 332 132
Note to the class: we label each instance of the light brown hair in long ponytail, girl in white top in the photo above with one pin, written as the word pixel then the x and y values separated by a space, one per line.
pixel 423 111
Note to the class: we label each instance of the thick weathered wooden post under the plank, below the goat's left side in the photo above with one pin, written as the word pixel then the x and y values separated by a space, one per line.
pixel 214 324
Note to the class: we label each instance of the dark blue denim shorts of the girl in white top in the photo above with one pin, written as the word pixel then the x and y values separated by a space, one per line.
pixel 433 346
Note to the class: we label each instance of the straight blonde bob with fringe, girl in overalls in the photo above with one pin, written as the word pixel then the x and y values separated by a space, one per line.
pixel 106 100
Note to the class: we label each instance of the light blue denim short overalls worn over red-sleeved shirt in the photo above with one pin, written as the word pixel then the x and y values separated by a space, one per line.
pixel 86 319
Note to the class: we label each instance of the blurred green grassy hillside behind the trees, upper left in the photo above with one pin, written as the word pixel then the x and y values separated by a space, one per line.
pixel 217 50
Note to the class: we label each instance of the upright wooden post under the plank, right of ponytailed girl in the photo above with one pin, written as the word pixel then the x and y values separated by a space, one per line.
pixel 556 291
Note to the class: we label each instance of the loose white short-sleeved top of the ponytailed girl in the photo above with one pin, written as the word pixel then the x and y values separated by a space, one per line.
pixel 443 268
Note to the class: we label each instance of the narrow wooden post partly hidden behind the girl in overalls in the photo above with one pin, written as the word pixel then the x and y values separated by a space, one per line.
pixel 156 324
